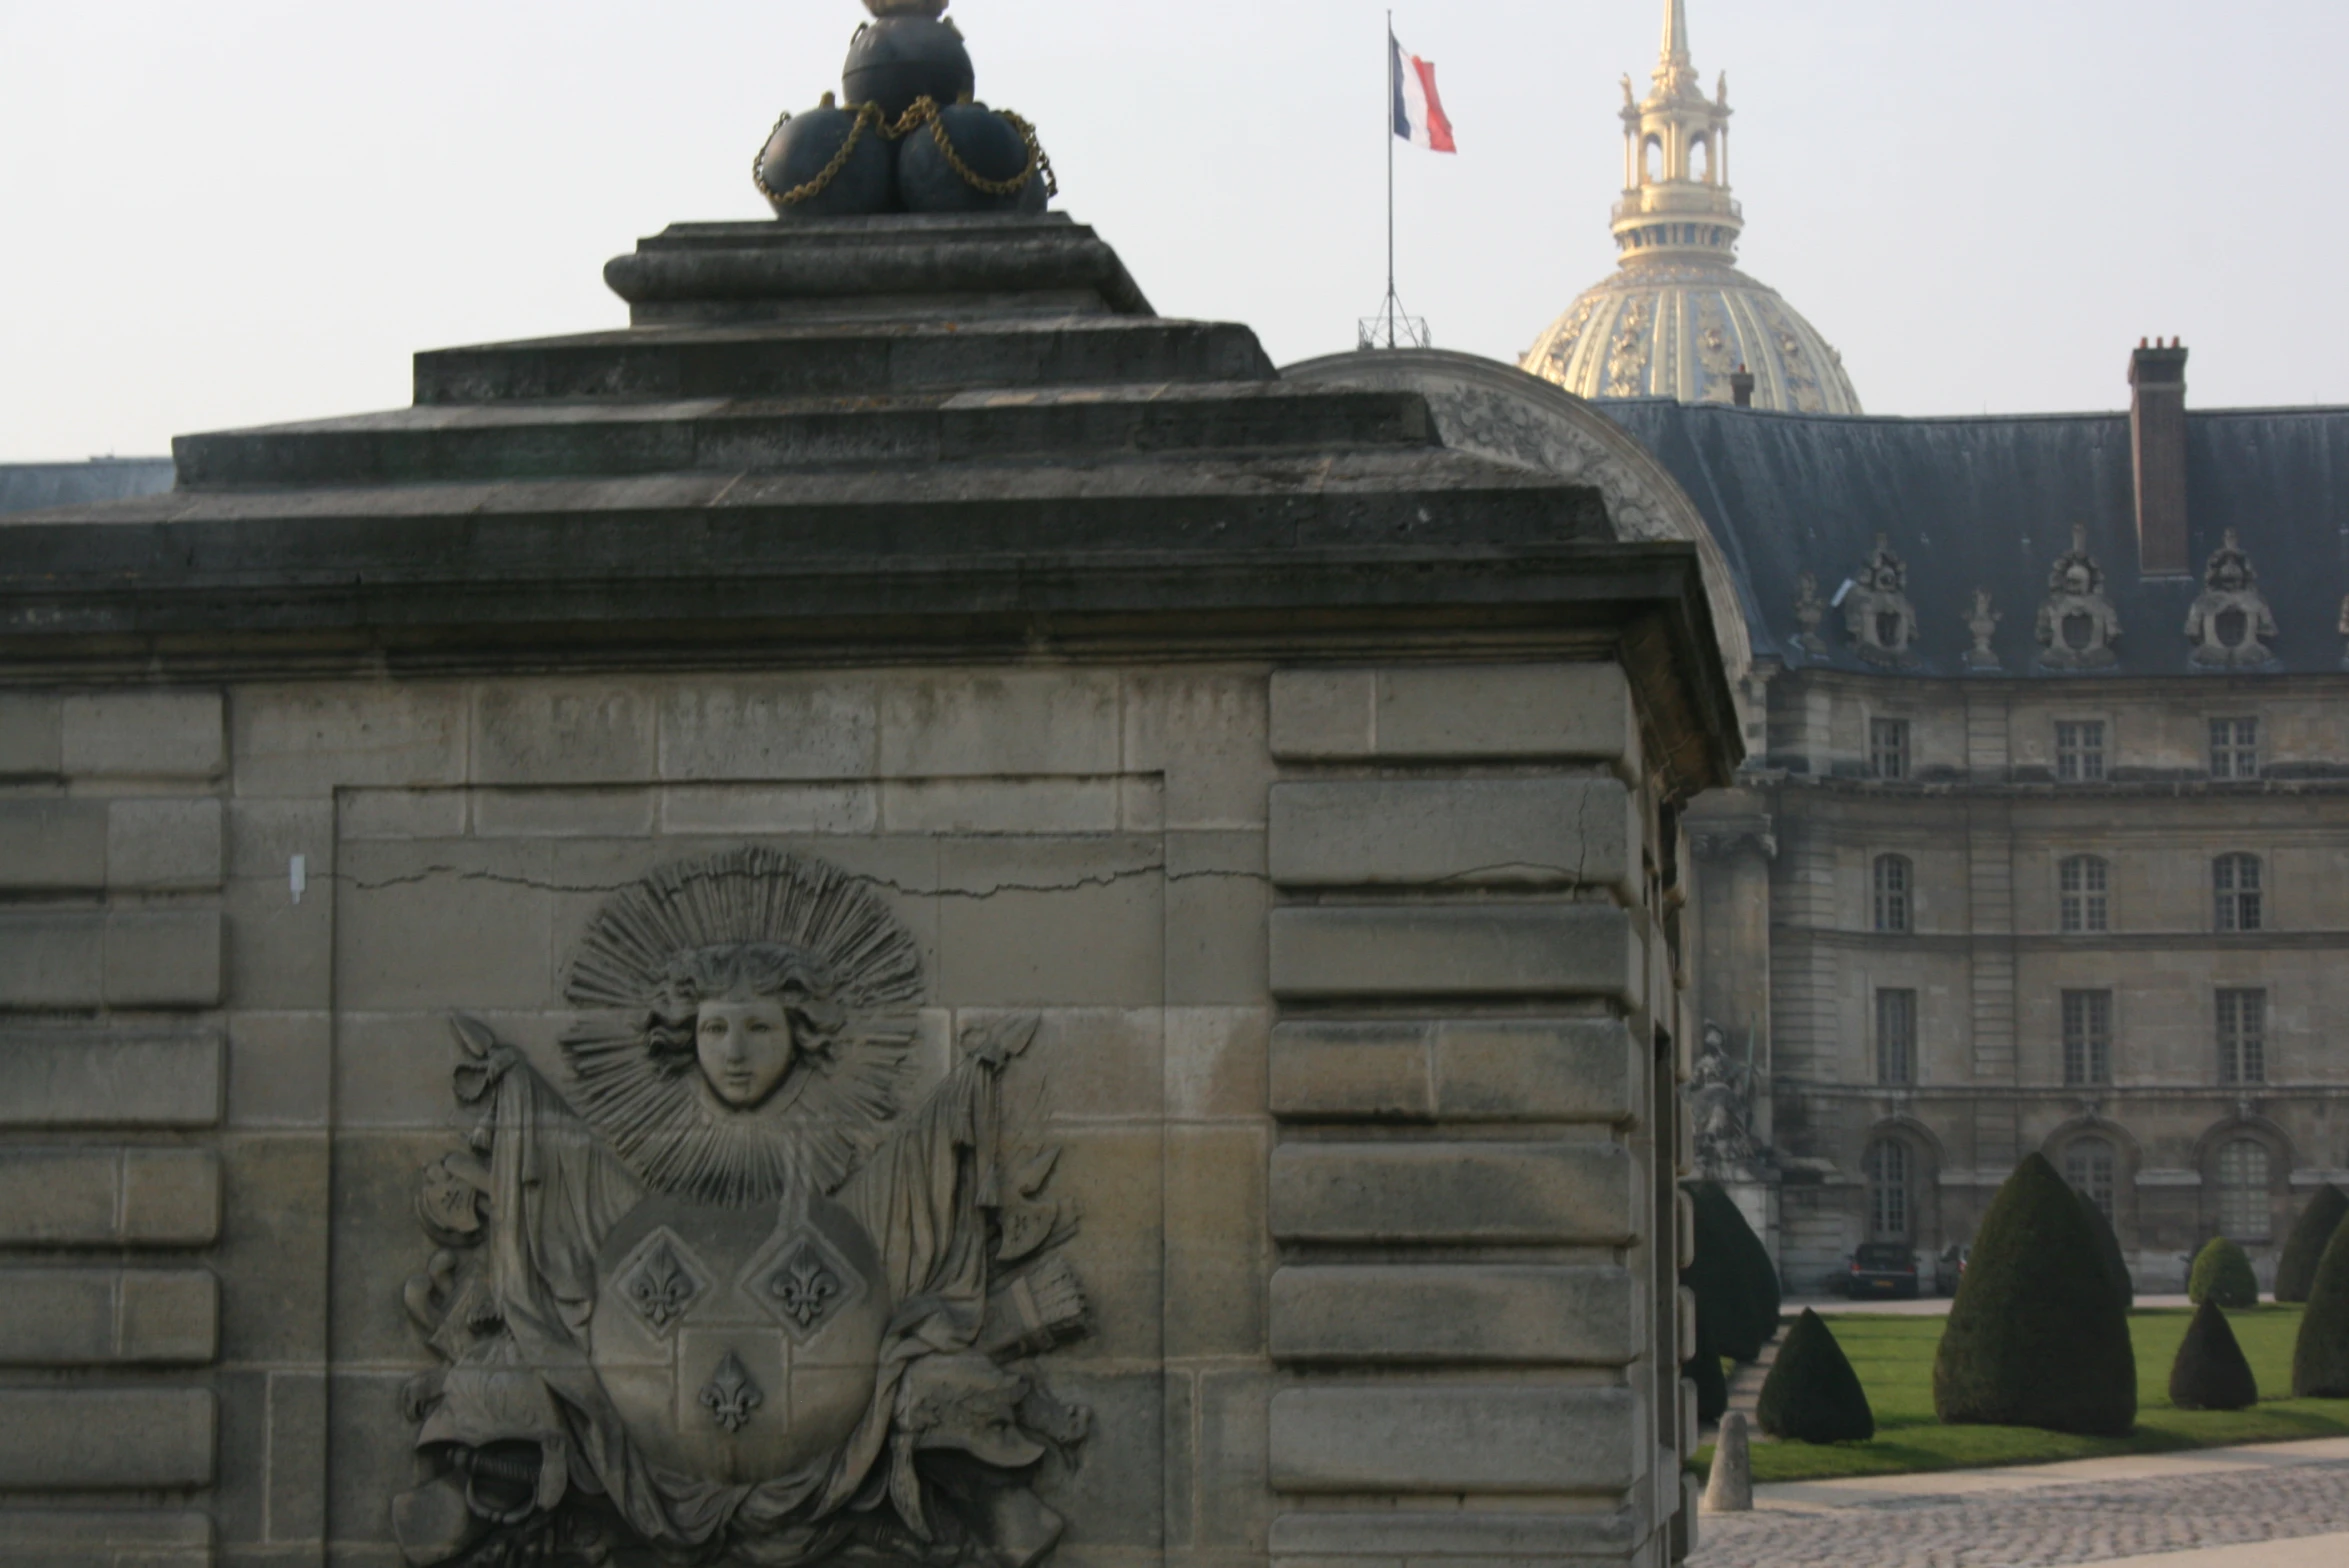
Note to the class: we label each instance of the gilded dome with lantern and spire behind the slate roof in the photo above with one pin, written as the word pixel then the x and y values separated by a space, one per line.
pixel 1676 318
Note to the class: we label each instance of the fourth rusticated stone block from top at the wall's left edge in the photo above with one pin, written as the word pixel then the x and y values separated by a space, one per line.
pixel 90 1079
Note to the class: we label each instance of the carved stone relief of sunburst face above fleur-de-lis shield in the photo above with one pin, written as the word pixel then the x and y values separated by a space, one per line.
pixel 725 1297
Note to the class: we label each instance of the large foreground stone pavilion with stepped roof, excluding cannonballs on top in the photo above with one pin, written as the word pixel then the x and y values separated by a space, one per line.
pixel 903 912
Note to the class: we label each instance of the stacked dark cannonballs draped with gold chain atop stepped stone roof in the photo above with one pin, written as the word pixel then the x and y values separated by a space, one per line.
pixel 908 137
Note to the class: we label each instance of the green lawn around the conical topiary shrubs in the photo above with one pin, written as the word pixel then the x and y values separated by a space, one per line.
pixel 1894 1358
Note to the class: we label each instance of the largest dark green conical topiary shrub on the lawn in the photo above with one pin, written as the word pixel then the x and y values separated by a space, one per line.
pixel 2038 1337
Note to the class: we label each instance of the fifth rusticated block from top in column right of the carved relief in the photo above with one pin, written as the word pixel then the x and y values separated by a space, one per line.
pixel 1453 1194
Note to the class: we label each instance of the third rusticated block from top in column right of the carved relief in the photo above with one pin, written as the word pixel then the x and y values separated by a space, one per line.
pixel 1476 949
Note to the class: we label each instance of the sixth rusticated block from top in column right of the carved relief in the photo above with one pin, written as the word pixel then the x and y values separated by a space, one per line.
pixel 1455 1313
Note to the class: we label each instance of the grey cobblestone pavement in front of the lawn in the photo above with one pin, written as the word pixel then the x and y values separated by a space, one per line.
pixel 2038 1529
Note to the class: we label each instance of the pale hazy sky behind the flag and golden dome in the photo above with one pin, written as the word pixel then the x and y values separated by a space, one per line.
pixel 231 212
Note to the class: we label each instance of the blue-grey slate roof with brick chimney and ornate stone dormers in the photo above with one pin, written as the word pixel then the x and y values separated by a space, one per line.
pixel 1993 503
